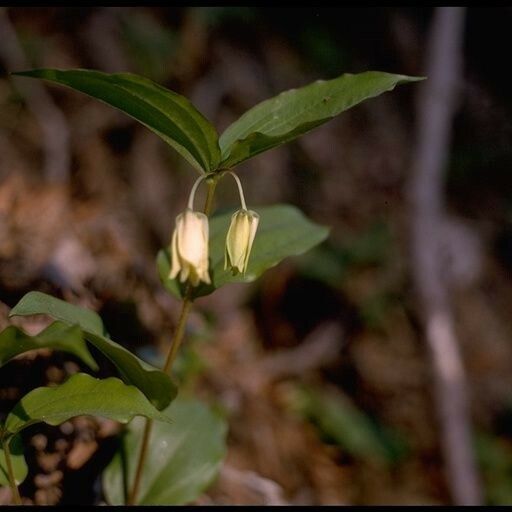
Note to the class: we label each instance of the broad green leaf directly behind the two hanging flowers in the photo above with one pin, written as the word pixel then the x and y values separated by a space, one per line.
pixel 283 231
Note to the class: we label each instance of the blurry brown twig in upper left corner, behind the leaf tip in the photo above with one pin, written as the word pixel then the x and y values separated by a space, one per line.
pixel 51 120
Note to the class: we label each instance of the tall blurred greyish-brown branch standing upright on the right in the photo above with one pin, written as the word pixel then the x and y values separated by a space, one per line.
pixel 437 104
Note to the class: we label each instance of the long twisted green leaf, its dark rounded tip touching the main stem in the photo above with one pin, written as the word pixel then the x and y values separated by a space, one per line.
pixel 155 384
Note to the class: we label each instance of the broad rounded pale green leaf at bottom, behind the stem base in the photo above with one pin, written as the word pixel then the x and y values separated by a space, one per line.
pixel 183 458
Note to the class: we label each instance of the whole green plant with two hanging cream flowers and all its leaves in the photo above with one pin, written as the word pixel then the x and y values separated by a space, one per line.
pixel 204 254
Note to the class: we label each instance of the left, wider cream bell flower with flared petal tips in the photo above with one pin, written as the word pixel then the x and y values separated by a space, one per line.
pixel 189 248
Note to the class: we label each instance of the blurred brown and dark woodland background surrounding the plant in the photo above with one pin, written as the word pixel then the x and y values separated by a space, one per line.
pixel 326 367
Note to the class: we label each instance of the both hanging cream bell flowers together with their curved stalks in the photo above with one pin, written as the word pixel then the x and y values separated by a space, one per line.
pixel 189 245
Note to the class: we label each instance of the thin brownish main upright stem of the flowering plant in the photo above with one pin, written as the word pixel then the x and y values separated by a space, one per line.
pixel 179 333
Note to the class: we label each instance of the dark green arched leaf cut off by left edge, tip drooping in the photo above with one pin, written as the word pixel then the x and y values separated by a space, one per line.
pixel 57 336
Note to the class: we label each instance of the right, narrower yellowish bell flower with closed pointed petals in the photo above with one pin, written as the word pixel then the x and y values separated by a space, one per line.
pixel 239 240
